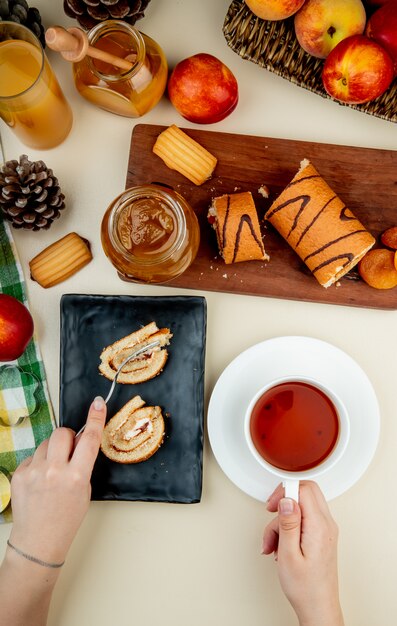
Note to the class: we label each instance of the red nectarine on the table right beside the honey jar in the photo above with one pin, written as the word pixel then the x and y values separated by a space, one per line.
pixel 203 89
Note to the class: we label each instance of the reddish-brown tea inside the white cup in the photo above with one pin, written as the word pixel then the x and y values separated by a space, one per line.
pixel 294 426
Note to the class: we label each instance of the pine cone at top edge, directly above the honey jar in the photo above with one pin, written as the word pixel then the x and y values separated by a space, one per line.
pixel 90 12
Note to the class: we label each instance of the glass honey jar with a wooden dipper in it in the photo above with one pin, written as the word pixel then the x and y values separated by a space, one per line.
pixel 132 92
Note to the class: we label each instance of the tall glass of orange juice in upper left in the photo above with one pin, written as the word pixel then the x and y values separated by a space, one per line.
pixel 31 100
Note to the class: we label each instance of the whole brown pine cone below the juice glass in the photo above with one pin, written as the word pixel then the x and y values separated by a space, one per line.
pixel 30 196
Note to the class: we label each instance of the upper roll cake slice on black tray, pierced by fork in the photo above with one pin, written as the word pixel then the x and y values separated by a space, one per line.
pixel 146 365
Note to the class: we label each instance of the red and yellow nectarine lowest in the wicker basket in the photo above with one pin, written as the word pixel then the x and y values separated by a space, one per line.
pixel 357 70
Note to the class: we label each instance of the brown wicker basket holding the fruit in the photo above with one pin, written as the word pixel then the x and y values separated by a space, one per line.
pixel 273 45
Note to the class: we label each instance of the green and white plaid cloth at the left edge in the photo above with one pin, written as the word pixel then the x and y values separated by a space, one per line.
pixel 23 389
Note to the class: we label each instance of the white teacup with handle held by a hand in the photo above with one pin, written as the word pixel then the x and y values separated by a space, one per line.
pixel 291 479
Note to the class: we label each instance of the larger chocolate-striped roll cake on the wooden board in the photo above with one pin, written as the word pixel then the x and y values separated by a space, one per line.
pixel 326 235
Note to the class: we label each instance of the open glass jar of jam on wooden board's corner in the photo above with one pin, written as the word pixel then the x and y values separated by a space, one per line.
pixel 150 234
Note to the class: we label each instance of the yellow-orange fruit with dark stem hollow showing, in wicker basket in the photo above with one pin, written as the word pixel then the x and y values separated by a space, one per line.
pixel 321 24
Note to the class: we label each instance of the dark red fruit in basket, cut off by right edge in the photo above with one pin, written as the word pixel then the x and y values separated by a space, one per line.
pixel 382 28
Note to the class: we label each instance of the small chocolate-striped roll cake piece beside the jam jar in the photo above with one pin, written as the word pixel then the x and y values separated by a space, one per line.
pixel 235 220
